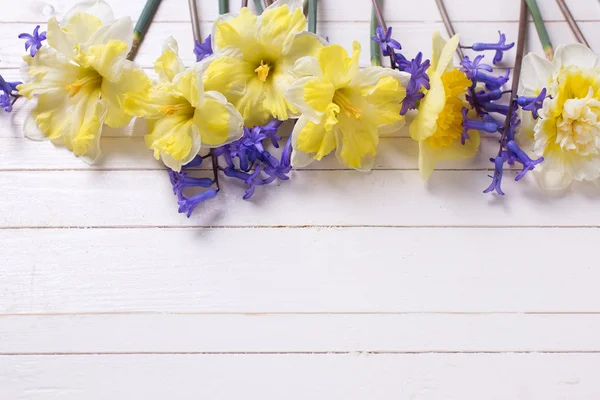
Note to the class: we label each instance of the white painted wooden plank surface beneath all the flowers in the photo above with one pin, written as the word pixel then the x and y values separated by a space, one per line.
pixel 335 285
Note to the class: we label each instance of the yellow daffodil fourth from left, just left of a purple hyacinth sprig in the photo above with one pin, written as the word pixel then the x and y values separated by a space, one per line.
pixel 343 107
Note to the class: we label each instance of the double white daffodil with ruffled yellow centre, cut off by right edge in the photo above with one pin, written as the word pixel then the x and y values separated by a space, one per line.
pixel 567 133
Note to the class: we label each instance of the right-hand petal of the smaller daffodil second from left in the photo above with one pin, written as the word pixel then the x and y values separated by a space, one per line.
pixel 218 121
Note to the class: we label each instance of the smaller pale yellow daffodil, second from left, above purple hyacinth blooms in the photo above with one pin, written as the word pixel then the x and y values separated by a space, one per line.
pixel 181 115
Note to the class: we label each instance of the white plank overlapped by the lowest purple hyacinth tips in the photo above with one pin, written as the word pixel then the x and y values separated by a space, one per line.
pixel 339 198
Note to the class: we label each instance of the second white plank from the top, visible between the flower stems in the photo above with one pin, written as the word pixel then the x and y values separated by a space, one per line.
pixel 414 37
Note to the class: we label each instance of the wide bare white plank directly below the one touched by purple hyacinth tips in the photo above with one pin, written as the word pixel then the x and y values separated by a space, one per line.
pixel 301 270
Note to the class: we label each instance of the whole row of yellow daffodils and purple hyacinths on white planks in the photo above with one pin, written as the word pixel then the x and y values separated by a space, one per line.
pixel 257 70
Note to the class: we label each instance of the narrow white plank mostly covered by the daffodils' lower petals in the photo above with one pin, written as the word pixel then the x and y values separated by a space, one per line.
pixel 131 154
